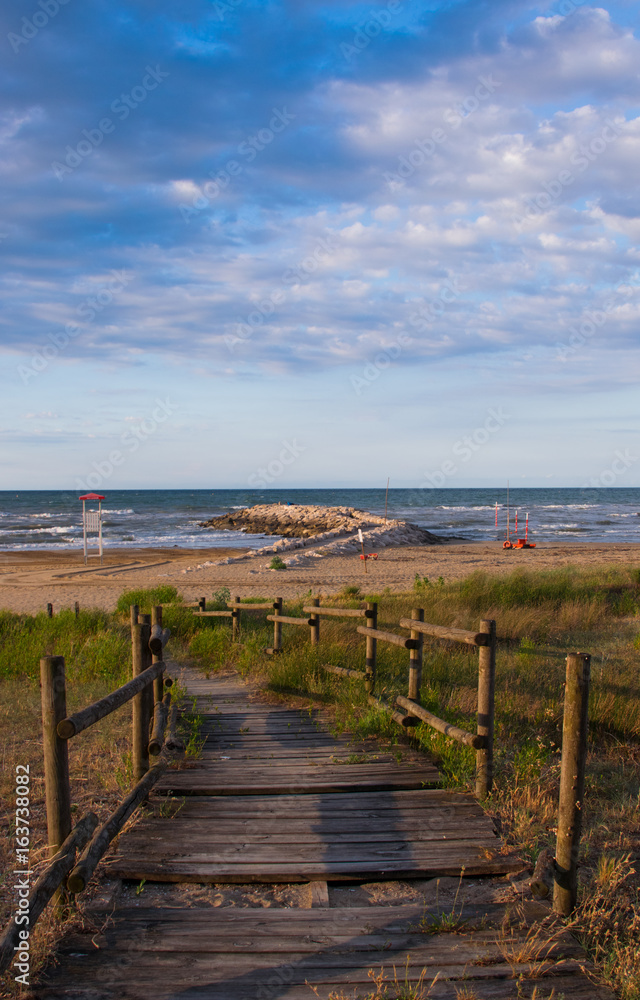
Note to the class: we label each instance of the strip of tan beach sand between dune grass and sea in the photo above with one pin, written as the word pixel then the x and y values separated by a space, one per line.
pixel 29 580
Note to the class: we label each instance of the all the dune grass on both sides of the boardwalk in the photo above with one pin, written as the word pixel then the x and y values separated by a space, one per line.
pixel 540 618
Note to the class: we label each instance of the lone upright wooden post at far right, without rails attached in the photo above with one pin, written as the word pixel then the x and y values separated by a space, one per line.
pixel 574 754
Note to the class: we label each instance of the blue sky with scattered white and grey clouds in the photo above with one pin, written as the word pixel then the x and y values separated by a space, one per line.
pixel 319 244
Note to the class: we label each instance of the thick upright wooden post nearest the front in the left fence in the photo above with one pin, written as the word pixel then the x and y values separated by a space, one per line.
pixel 56 755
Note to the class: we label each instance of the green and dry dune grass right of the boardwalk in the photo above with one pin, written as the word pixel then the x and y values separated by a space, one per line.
pixel 540 618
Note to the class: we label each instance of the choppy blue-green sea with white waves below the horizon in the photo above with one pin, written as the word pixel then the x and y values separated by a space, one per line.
pixel 41 519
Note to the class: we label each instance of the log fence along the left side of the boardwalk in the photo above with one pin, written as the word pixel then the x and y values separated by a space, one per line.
pixel 149 722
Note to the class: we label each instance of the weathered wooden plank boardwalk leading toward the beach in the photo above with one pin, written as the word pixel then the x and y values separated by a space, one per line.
pixel 276 798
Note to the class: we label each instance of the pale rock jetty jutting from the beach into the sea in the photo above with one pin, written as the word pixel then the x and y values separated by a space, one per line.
pixel 320 531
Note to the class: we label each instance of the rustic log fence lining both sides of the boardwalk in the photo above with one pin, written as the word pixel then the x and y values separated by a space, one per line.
pixel 152 711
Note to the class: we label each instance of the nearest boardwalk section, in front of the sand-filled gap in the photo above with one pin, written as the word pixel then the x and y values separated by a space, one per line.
pixel 229 954
